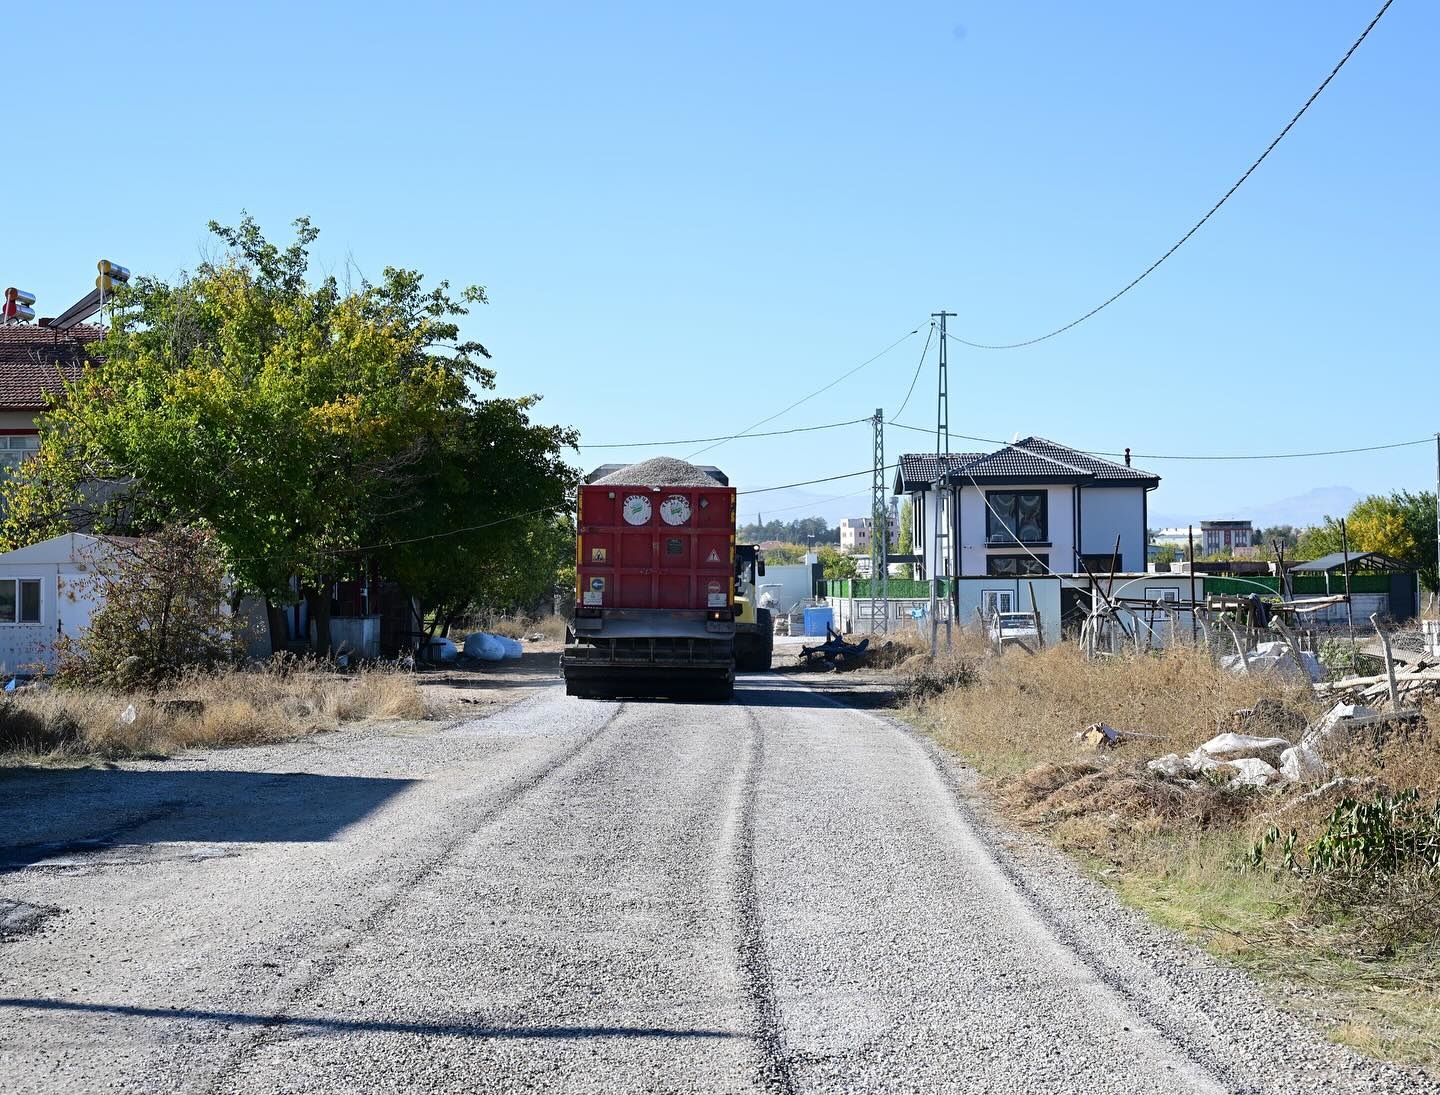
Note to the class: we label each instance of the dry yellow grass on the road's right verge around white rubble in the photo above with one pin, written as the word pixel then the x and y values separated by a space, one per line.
pixel 1363 966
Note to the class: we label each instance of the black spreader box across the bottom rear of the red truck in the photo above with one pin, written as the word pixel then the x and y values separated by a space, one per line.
pixel 644 668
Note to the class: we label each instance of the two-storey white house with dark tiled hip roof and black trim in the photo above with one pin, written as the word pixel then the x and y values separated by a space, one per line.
pixel 1030 508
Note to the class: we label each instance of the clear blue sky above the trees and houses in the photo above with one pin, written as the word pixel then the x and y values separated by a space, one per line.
pixel 689 218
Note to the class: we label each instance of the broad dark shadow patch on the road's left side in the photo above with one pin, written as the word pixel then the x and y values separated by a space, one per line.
pixel 58 813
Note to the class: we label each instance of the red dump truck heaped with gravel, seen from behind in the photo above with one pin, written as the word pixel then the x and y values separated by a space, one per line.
pixel 654 564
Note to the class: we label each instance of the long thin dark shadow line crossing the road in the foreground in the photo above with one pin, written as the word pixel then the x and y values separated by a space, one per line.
pixel 365 1025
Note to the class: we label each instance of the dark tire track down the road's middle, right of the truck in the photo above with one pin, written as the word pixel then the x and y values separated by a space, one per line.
pixel 754 959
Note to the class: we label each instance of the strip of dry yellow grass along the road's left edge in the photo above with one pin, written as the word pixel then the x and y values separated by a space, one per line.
pixel 270 704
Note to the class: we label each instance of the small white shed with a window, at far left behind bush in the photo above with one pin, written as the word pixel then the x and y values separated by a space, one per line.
pixel 47 591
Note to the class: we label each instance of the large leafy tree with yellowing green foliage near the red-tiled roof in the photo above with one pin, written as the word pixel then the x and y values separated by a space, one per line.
pixel 300 423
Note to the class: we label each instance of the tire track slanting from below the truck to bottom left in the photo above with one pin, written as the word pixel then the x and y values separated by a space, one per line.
pixel 326 967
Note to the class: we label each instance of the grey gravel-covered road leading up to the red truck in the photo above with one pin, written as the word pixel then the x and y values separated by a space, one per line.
pixel 773 895
